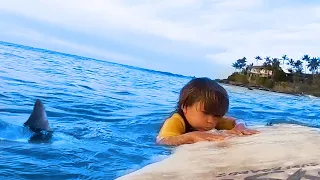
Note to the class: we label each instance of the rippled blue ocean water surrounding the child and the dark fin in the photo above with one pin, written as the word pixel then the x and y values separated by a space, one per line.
pixel 105 115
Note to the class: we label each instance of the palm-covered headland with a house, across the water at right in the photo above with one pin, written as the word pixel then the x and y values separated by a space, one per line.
pixel 296 81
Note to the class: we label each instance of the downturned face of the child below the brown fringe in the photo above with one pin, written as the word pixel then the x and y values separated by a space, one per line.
pixel 198 119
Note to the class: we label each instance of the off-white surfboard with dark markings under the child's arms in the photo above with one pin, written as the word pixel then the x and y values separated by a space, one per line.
pixel 279 152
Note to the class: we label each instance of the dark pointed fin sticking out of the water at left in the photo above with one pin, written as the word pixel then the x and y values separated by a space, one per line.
pixel 38 123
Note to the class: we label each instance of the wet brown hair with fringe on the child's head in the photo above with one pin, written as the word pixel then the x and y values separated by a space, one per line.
pixel 213 96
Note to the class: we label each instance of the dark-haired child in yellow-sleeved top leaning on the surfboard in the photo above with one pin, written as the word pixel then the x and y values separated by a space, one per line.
pixel 202 106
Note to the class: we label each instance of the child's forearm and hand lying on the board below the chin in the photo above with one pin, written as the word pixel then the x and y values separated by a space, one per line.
pixel 197 136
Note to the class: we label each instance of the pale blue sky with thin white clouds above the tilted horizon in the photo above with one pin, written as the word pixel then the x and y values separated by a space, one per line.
pixel 188 37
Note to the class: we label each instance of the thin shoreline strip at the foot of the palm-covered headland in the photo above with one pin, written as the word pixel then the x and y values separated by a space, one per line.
pixel 253 86
